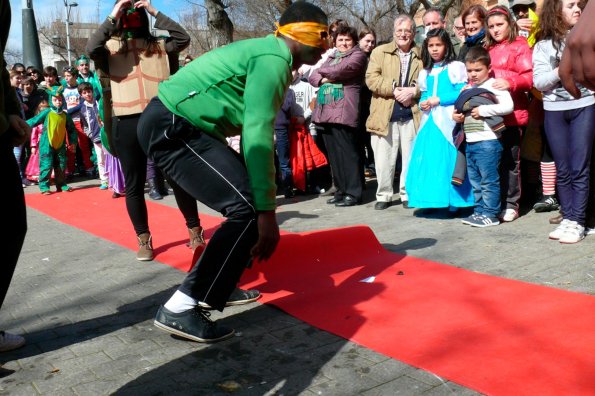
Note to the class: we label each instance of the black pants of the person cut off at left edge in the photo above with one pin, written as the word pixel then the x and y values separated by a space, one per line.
pixel 13 214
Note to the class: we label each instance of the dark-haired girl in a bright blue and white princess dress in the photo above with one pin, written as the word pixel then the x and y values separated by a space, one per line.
pixel 433 156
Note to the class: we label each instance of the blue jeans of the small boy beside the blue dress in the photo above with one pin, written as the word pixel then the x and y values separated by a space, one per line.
pixel 483 161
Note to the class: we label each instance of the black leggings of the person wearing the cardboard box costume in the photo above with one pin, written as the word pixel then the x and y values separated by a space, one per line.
pixel 134 166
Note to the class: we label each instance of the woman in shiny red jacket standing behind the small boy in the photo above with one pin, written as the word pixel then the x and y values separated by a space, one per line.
pixel 512 66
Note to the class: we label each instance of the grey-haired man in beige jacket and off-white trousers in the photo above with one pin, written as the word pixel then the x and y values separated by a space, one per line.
pixel 394 114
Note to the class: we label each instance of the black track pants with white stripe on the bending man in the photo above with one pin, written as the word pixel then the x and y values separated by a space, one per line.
pixel 214 174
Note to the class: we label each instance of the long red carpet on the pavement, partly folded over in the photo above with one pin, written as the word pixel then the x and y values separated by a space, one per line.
pixel 494 335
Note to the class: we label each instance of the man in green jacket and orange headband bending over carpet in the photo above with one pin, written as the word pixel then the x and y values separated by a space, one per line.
pixel 233 90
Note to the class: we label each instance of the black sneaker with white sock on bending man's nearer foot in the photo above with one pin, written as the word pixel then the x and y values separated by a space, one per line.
pixel 194 324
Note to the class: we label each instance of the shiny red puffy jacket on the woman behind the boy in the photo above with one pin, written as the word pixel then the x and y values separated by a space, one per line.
pixel 514 63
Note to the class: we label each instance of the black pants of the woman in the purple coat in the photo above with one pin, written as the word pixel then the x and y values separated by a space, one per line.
pixel 343 154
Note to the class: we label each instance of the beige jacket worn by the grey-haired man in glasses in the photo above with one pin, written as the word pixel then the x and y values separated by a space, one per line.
pixel 385 68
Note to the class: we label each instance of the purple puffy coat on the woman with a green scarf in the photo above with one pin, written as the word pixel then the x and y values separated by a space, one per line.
pixel 349 71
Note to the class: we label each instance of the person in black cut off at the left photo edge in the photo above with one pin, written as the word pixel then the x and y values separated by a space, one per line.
pixel 13 132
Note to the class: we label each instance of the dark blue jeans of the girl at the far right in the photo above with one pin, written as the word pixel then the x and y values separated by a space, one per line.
pixel 570 135
